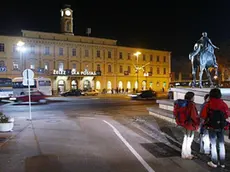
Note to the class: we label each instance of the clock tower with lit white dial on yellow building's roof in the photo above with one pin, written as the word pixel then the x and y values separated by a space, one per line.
pixel 67 20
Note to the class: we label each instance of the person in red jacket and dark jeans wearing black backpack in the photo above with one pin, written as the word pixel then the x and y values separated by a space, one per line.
pixel 218 109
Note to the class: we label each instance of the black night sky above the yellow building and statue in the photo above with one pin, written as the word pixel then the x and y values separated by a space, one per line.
pixel 160 24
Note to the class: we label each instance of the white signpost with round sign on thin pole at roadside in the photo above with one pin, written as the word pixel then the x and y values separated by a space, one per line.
pixel 28 80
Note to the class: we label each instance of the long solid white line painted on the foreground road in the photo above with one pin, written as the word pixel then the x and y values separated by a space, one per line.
pixel 142 161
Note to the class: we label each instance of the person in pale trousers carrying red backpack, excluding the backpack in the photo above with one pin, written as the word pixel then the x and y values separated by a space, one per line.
pixel 190 126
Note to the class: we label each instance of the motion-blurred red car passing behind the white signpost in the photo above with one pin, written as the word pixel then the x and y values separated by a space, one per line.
pixel 36 96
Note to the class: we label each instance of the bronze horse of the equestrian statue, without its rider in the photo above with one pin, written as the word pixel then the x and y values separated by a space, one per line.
pixel 203 60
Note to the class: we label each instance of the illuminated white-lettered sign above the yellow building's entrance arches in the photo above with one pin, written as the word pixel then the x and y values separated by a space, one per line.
pixel 76 73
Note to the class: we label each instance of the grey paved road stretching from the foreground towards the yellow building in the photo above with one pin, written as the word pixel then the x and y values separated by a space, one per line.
pixel 89 134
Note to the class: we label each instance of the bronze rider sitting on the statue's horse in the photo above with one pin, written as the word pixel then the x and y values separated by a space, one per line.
pixel 206 43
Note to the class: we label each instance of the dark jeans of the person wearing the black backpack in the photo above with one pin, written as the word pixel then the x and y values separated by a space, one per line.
pixel 217 140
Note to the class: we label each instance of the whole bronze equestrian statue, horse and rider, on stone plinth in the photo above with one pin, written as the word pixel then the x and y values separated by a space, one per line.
pixel 203 57
